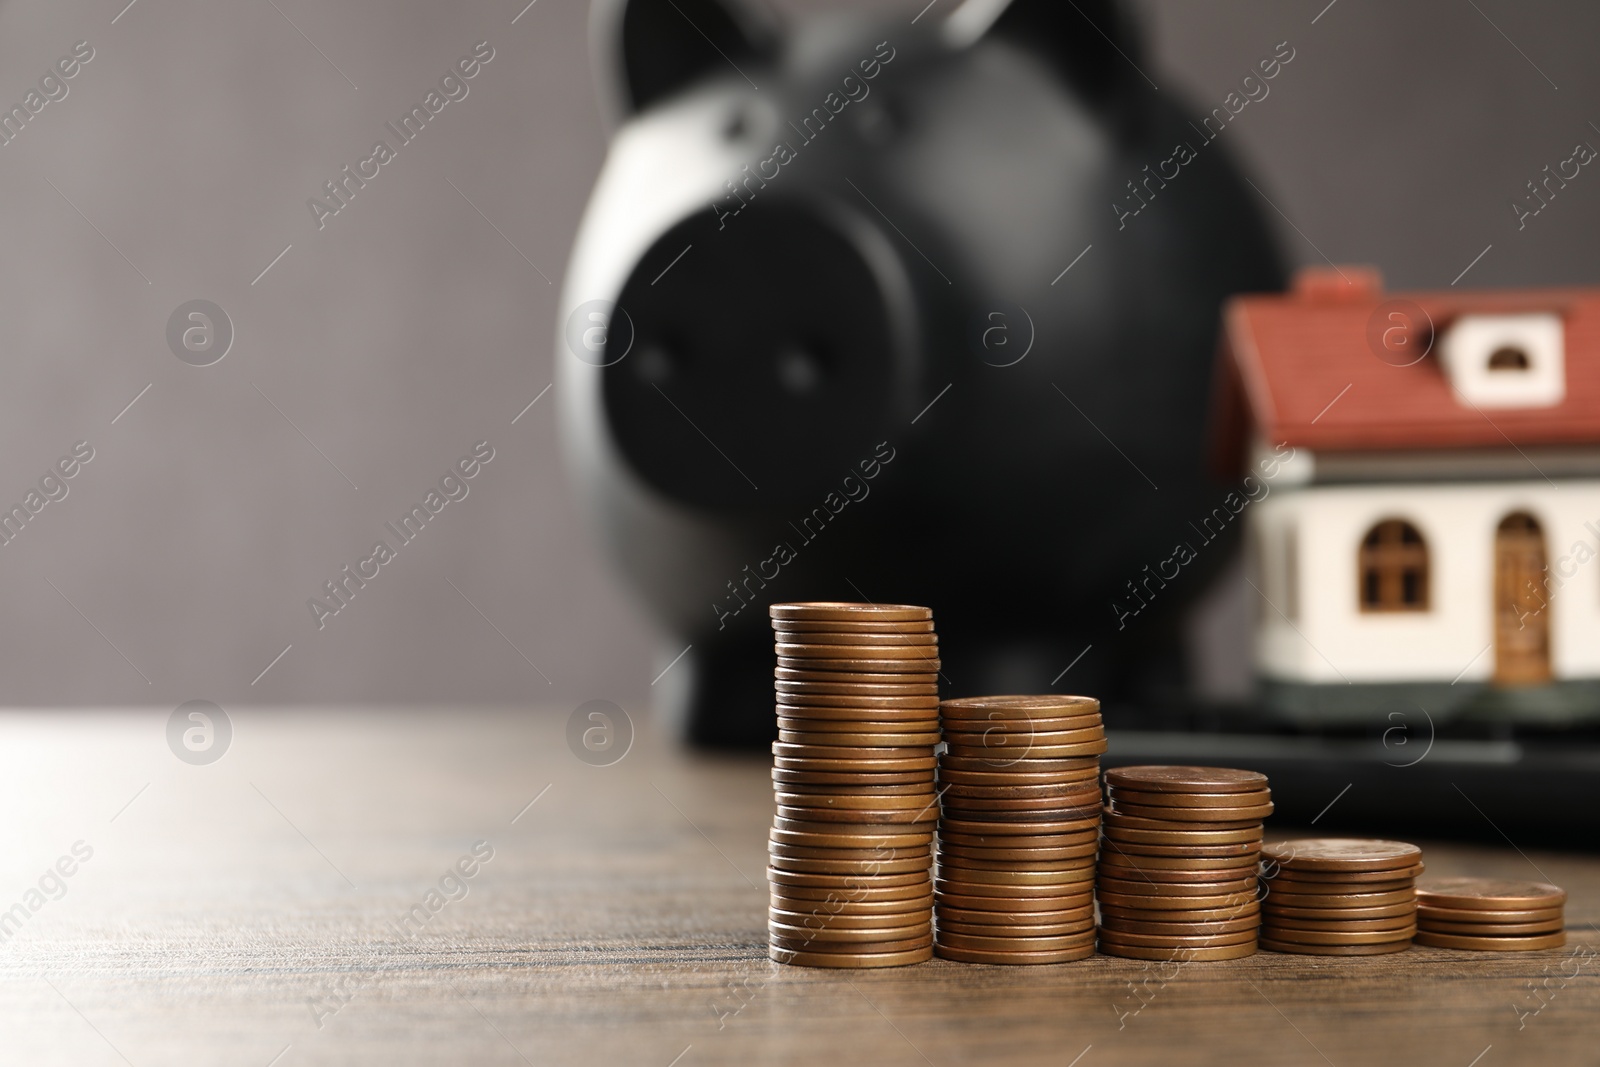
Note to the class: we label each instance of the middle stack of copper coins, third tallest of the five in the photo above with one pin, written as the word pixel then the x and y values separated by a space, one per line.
pixel 1178 863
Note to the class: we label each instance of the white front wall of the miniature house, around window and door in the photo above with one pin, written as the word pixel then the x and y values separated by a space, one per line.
pixel 1330 641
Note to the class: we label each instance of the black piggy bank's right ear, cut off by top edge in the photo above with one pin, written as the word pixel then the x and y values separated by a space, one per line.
pixel 1094 44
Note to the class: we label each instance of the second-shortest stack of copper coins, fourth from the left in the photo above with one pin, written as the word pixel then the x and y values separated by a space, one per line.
pixel 1340 897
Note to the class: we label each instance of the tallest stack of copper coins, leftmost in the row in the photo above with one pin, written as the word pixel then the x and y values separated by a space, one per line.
pixel 852 847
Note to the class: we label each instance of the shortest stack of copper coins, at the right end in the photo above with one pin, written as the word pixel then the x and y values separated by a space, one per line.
pixel 1490 914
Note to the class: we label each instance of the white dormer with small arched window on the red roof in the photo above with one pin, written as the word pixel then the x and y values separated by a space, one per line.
pixel 1506 361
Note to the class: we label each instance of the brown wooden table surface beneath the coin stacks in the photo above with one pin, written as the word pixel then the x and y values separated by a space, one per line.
pixel 254 913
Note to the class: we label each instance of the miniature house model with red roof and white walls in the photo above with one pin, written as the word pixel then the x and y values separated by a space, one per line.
pixel 1431 532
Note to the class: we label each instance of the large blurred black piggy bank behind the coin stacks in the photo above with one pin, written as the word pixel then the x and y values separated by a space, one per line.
pixel 911 308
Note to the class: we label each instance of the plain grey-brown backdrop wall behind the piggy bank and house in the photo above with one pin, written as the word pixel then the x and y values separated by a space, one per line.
pixel 409 329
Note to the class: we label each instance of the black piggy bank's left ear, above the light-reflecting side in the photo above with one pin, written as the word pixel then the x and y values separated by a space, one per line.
pixel 646 50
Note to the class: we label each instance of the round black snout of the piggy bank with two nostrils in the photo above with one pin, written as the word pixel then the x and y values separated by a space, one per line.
pixel 764 359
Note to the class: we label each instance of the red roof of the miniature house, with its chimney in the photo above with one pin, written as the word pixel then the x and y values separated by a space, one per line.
pixel 1298 367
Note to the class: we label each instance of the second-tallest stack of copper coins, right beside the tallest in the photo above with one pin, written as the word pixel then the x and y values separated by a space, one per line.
pixel 1020 818
